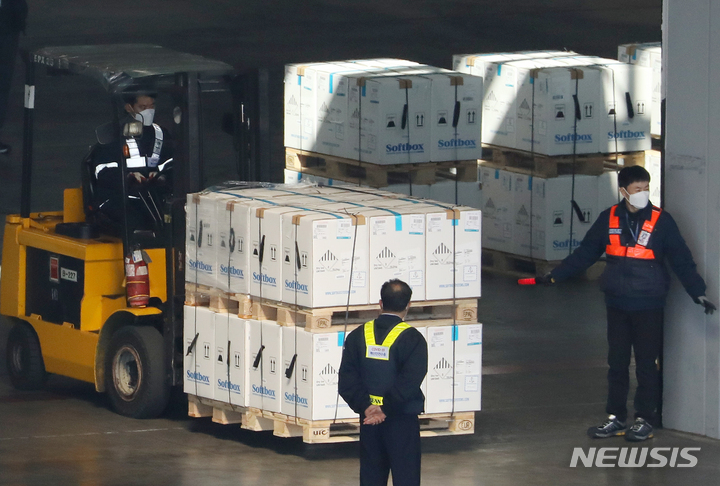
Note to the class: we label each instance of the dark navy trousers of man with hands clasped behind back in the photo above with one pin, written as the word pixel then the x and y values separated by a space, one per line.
pixel 392 445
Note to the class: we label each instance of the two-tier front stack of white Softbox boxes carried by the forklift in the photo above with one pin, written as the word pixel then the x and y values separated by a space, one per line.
pixel 322 247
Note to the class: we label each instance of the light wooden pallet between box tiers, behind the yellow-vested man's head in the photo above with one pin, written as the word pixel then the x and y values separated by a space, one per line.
pixel 322 319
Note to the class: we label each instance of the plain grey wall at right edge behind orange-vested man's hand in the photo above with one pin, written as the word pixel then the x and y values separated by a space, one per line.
pixel 691 45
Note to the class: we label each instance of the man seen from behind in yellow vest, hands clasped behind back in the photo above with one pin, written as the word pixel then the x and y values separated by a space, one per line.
pixel 383 365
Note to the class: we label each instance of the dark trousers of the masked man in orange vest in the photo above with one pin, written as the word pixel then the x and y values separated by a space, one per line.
pixel 641 332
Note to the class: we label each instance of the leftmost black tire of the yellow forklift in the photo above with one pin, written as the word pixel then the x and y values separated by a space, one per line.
pixel 24 358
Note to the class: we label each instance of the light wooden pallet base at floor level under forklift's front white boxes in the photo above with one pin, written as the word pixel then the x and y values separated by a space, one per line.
pixel 318 431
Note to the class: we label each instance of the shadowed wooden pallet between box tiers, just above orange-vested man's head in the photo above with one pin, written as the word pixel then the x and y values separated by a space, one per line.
pixel 548 167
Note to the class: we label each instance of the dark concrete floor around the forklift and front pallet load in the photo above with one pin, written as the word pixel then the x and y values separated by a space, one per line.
pixel 543 385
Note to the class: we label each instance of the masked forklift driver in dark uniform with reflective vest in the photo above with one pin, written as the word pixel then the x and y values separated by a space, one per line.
pixel 149 172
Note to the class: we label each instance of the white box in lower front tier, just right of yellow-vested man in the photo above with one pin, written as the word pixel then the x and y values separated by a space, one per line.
pixel 457 379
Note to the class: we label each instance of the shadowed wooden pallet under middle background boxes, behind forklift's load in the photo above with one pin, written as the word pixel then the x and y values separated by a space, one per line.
pixel 374 175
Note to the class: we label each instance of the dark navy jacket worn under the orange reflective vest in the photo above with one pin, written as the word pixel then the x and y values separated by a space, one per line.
pixel 631 284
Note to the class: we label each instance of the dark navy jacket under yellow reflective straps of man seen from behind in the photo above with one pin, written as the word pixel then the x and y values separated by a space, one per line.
pixel 409 353
